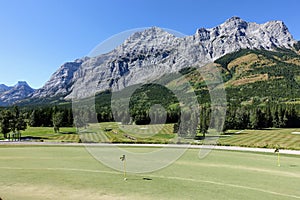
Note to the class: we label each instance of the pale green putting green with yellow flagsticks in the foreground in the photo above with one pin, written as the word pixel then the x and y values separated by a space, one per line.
pixel 57 172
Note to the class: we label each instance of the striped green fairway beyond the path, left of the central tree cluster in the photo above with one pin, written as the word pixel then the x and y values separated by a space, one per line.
pixel 109 132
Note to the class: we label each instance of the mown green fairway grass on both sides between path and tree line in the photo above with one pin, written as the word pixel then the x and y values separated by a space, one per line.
pixel 113 132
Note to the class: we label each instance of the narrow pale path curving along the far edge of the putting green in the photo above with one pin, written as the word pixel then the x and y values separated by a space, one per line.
pixel 227 148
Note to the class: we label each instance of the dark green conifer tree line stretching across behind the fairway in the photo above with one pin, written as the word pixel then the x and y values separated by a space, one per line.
pixel 187 122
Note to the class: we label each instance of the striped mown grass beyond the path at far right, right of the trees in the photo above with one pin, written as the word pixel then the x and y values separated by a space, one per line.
pixel 266 138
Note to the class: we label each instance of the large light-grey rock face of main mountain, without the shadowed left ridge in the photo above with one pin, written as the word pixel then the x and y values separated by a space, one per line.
pixel 149 54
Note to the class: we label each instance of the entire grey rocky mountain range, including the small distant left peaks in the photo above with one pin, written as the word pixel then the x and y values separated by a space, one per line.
pixel 149 54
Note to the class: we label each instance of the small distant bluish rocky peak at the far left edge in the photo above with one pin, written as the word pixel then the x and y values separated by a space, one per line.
pixel 18 92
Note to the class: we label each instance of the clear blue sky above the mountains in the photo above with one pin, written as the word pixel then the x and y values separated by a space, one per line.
pixel 37 36
